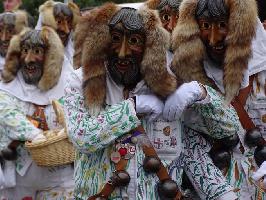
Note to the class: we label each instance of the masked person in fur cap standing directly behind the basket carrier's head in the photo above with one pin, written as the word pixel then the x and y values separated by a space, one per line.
pixel 62 17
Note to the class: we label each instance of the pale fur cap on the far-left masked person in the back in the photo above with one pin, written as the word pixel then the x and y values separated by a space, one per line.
pixel 21 19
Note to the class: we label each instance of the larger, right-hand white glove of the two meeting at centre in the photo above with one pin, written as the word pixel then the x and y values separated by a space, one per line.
pixel 184 96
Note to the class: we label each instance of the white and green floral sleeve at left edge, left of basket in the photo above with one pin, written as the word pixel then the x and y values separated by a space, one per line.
pixel 13 123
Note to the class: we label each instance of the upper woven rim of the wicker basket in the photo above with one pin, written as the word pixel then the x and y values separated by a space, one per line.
pixel 48 141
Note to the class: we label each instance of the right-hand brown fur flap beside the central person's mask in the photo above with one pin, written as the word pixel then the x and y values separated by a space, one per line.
pixel 153 65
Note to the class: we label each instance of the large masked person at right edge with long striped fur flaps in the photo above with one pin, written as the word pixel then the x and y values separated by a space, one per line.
pixel 219 54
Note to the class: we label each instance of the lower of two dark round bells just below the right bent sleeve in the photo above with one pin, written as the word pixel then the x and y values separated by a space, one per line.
pixel 220 158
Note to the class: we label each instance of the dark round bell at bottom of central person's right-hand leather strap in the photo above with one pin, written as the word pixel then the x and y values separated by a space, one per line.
pixel 167 189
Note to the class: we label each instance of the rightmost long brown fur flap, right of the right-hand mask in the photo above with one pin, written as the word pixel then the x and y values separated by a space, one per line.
pixel 242 29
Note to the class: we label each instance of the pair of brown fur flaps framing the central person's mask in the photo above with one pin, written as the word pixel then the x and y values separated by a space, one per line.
pixel 91 43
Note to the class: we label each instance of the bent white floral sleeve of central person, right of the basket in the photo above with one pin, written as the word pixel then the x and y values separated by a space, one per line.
pixel 88 133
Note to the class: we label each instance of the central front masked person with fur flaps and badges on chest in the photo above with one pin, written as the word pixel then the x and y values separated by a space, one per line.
pixel 124 77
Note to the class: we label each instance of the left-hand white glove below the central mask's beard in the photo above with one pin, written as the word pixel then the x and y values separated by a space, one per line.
pixel 149 105
